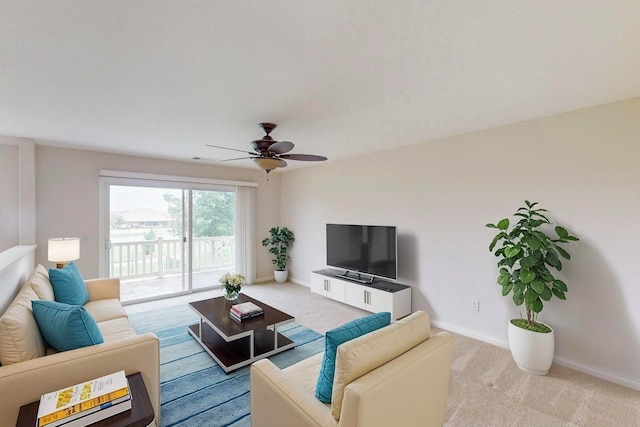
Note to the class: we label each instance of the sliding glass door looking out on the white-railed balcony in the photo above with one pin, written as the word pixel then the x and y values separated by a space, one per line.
pixel 165 240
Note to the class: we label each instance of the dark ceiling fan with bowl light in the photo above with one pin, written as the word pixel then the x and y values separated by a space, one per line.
pixel 270 154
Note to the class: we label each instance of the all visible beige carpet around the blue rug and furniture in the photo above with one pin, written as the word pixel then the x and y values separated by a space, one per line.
pixel 486 387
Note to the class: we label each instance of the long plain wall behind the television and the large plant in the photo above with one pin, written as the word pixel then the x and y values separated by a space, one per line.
pixel 583 166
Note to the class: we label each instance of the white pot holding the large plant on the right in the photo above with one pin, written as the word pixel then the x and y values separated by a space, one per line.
pixel 532 351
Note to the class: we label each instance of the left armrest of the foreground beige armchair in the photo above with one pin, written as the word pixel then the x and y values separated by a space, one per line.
pixel 277 400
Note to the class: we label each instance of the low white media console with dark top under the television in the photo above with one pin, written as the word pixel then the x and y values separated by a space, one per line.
pixel 375 296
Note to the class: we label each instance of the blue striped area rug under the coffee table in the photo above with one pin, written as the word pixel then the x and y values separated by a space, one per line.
pixel 194 390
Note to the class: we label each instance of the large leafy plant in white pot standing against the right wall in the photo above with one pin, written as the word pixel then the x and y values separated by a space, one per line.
pixel 528 258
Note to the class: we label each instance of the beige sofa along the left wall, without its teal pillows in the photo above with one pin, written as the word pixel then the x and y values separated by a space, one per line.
pixel 29 369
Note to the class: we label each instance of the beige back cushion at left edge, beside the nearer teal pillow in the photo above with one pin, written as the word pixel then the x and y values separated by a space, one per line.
pixel 20 337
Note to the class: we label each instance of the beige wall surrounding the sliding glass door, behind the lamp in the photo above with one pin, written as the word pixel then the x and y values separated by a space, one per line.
pixel 67 197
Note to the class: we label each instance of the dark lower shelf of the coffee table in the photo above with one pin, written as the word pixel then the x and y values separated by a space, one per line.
pixel 235 354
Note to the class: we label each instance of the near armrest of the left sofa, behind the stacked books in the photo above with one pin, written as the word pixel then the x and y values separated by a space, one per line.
pixel 24 382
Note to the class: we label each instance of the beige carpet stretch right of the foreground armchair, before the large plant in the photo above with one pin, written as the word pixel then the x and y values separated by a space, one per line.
pixel 488 389
